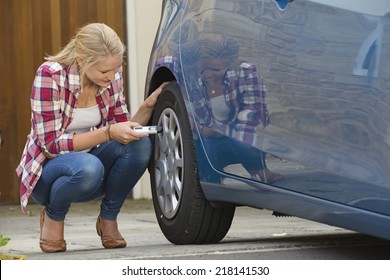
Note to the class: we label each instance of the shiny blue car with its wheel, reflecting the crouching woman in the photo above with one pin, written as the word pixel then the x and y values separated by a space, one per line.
pixel 272 104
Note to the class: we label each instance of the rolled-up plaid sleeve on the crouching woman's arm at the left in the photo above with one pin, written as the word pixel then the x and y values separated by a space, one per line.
pixel 47 116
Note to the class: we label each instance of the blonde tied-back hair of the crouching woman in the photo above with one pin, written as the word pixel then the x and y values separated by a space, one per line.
pixel 91 43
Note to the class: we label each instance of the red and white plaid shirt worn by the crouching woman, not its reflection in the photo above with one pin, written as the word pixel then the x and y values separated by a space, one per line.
pixel 53 99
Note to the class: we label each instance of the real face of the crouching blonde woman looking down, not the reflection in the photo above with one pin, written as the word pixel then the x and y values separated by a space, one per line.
pixel 103 72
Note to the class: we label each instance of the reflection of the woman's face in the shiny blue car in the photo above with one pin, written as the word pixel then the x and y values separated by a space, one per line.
pixel 211 69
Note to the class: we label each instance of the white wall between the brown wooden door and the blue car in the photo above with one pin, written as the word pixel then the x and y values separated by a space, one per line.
pixel 142 21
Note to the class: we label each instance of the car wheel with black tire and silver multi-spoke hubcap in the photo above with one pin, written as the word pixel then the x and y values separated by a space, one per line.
pixel 183 213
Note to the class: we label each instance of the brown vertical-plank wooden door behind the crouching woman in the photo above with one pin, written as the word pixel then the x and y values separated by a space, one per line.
pixel 28 31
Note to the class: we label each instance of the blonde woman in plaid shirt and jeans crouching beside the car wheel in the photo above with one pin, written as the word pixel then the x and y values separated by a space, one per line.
pixel 81 145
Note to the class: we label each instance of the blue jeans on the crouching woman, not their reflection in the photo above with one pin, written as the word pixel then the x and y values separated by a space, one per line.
pixel 109 171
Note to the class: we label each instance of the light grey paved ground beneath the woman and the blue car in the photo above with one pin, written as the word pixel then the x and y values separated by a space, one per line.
pixel 138 225
